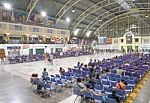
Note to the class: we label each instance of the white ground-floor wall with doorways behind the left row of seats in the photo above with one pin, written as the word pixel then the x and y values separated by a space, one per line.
pixel 26 49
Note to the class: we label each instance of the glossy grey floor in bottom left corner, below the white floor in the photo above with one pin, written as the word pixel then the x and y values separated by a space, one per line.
pixel 14 89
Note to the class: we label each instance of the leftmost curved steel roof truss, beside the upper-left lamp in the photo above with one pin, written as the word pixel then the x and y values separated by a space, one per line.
pixel 30 7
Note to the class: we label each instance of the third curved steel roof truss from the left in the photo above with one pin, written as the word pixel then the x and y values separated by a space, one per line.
pixel 90 10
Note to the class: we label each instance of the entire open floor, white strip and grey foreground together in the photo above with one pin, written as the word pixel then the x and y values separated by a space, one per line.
pixel 14 89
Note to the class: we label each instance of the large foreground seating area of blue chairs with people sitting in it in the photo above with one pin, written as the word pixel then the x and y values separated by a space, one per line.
pixel 101 79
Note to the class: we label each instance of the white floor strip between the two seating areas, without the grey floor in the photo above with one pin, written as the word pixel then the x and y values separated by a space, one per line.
pixel 24 70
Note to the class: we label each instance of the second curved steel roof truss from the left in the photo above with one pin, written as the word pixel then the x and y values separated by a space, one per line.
pixel 65 8
